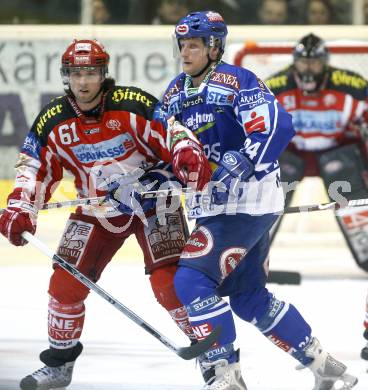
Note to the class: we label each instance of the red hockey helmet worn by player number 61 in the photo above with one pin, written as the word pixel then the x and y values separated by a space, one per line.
pixel 84 54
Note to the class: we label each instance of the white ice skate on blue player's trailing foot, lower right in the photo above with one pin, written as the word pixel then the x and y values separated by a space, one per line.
pixel 330 374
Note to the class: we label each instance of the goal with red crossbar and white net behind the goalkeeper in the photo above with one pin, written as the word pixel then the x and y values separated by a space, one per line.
pixel 308 242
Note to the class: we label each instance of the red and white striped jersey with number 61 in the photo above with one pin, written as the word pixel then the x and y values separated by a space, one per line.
pixel 125 134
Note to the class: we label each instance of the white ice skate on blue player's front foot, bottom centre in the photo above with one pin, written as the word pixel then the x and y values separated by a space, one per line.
pixel 220 375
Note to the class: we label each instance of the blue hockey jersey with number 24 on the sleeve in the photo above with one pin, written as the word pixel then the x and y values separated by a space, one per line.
pixel 234 110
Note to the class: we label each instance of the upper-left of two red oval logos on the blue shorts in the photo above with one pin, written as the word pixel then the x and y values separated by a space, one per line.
pixel 199 244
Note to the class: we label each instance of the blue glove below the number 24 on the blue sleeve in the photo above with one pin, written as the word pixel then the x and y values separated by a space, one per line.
pixel 233 165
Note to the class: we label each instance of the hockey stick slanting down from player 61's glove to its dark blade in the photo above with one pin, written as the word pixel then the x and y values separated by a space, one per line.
pixel 186 353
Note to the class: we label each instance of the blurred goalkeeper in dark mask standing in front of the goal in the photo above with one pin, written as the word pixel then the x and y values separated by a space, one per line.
pixel 330 114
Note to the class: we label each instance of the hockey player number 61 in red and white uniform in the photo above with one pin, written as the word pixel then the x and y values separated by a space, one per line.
pixel 97 131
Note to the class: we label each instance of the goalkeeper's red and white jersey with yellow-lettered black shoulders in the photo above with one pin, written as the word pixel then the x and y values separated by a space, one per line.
pixel 324 119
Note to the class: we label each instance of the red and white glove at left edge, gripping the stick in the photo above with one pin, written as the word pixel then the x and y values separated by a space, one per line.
pixel 18 217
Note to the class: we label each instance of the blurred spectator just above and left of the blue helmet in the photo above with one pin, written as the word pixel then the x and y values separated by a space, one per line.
pixel 170 11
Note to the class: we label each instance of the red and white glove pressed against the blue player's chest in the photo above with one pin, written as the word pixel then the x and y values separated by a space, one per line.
pixel 190 164
